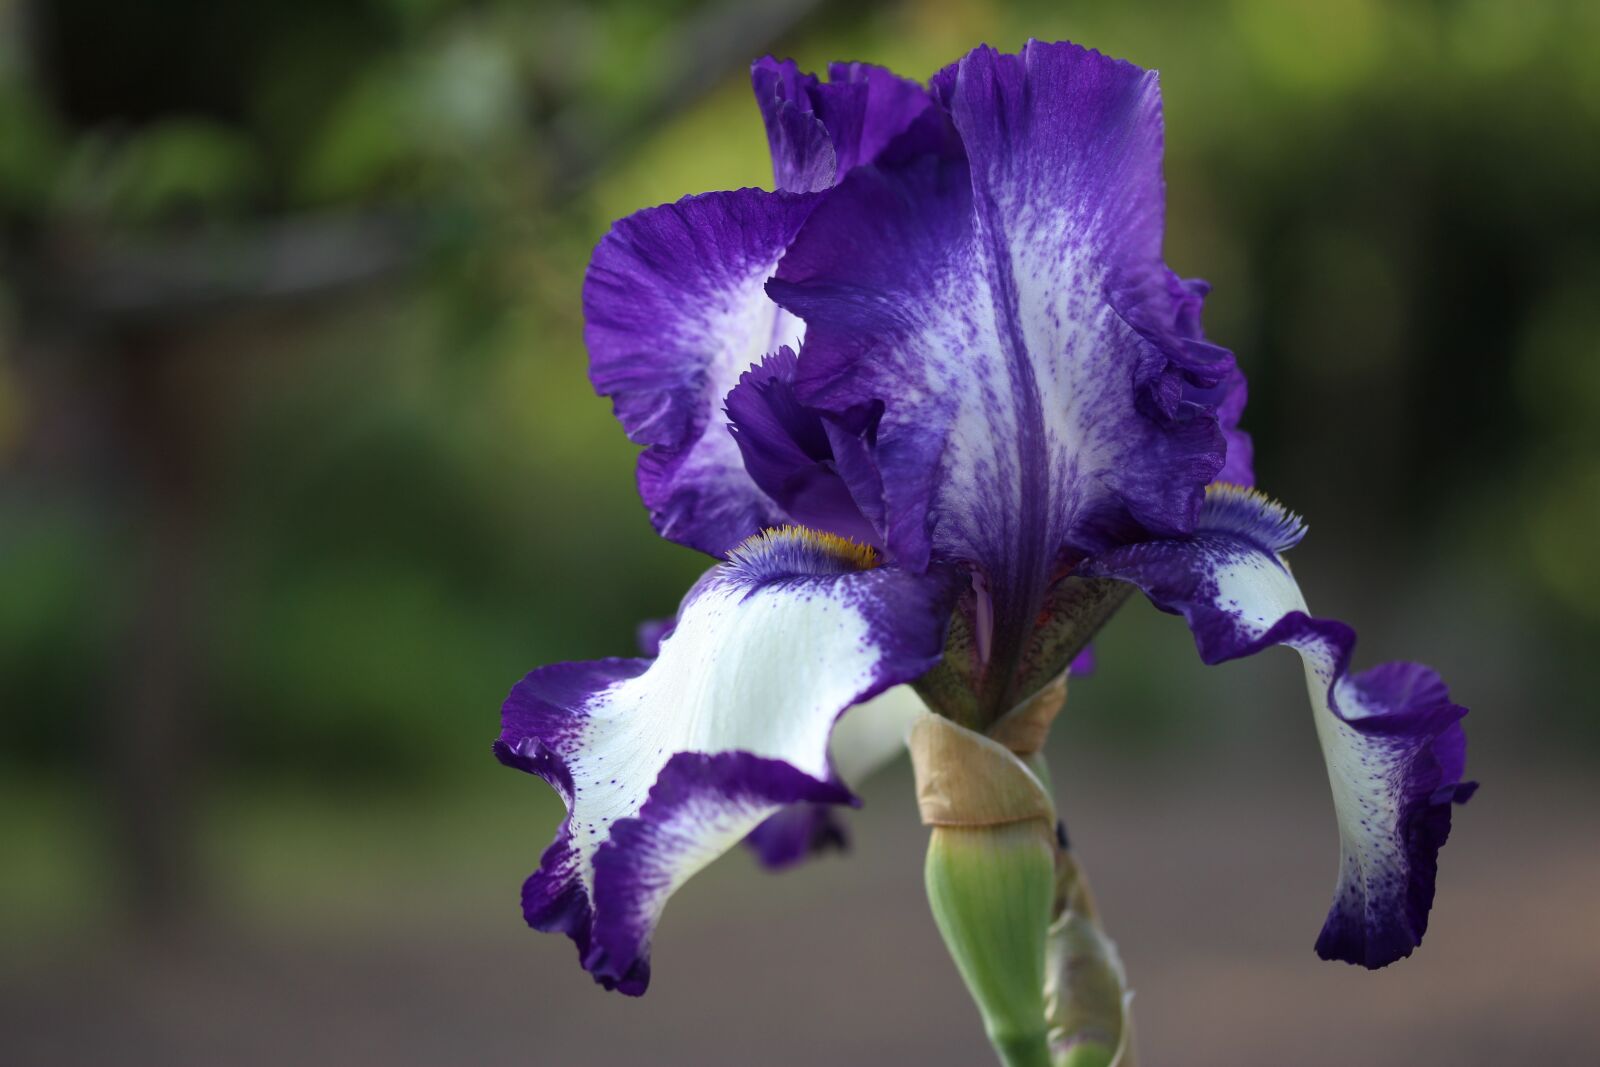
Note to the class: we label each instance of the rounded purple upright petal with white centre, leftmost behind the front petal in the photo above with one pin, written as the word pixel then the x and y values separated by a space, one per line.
pixel 674 314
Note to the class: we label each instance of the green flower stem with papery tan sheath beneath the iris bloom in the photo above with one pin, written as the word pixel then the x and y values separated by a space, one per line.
pixel 1009 898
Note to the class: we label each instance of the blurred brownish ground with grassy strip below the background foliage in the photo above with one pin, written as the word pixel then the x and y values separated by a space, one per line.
pixel 366 946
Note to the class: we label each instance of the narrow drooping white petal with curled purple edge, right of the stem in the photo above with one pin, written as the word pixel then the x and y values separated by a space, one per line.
pixel 1391 737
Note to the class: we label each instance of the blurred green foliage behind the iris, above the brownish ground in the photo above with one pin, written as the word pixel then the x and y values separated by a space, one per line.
pixel 412 497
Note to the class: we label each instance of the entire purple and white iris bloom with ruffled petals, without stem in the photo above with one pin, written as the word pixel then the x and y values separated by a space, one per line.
pixel 934 404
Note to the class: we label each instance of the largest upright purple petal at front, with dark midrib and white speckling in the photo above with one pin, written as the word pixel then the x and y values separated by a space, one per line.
pixel 1009 310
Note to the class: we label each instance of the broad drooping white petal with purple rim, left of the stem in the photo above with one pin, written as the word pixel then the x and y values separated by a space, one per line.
pixel 666 764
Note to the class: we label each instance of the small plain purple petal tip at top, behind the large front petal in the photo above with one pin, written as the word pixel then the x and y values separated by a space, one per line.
pixel 820 130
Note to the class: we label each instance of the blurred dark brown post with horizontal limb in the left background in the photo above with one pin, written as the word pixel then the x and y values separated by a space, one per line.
pixel 116 340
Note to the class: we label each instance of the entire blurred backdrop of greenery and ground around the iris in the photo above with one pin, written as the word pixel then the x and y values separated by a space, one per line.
pixel 300 471
